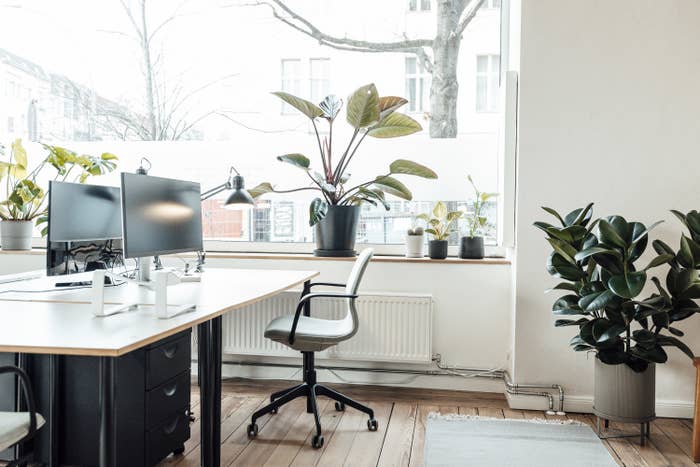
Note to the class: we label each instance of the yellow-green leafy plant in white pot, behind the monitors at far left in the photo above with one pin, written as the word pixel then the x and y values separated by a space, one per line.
pixel 25 200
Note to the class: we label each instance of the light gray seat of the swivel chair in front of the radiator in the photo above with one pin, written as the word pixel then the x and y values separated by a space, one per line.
pixel 312 334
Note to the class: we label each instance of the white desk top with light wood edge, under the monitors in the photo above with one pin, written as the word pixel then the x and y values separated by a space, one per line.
pixel 62 323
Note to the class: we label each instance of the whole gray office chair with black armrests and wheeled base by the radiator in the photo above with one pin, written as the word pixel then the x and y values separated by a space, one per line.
pixel 308 335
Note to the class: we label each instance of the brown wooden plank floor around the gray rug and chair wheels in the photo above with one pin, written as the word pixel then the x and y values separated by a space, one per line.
pixel 284 438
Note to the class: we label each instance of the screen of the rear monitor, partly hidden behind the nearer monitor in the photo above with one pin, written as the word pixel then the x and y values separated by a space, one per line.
pixel 79 212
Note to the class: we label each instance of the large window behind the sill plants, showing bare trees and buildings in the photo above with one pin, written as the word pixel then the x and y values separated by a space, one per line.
pixel 212 106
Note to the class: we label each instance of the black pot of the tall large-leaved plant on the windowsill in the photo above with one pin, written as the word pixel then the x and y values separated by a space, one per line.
pixel 335 234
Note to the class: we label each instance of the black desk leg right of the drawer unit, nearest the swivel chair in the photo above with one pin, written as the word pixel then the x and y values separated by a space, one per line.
pixel 209 356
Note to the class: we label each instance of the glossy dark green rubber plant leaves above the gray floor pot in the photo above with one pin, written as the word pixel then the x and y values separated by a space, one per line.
pixel 598 262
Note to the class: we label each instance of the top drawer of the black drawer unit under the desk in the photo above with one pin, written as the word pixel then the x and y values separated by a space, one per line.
pixel 168 360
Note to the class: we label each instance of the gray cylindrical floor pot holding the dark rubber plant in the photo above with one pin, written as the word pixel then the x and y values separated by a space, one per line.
pixel 623 395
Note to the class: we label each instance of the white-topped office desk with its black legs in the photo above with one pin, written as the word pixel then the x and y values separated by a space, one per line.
pixel 61 323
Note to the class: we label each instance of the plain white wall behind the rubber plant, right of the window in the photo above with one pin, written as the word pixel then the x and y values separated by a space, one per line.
pixel 610 113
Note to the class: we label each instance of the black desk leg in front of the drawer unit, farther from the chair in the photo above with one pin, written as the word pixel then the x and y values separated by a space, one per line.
pixel 108 441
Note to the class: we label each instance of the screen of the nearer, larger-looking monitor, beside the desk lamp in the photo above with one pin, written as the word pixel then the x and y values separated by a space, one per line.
pixel 160 216
